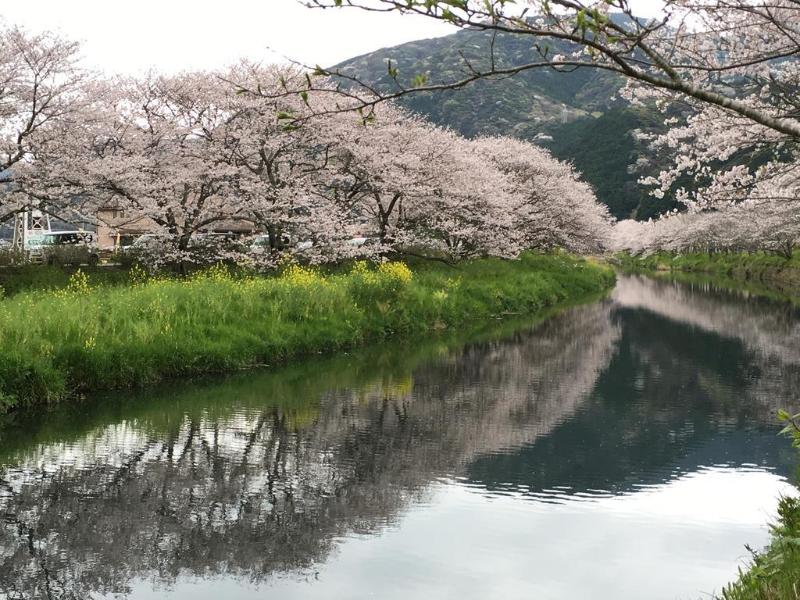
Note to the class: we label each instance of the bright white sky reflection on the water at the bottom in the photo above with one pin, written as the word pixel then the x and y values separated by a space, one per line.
pixel 465 543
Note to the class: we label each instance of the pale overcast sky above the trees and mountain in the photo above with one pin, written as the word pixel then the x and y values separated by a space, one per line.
pixel 127 36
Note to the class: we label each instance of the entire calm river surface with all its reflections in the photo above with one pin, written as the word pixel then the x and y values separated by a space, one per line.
pixel 621 449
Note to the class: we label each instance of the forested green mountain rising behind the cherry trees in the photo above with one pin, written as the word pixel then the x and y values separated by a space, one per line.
pixel 576 115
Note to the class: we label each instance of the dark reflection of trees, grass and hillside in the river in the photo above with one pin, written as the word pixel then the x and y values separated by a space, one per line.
pixel 262 474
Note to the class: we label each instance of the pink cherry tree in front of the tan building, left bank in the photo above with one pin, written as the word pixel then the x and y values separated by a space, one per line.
pixel 155 149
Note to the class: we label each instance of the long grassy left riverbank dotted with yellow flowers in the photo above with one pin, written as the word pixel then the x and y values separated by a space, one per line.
pixel 59 344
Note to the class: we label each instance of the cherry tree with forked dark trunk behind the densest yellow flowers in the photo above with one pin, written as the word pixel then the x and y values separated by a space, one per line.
pixel 412 185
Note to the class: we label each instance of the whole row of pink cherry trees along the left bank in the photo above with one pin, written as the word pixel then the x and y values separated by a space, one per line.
pixel 191 153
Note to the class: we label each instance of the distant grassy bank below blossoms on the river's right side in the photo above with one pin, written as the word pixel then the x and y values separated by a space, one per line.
pixel 770 272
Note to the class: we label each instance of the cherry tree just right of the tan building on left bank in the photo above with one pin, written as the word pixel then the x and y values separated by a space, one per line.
pixel 283 170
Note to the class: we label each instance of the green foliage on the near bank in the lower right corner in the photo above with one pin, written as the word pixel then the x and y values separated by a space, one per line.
pixel 775 573
